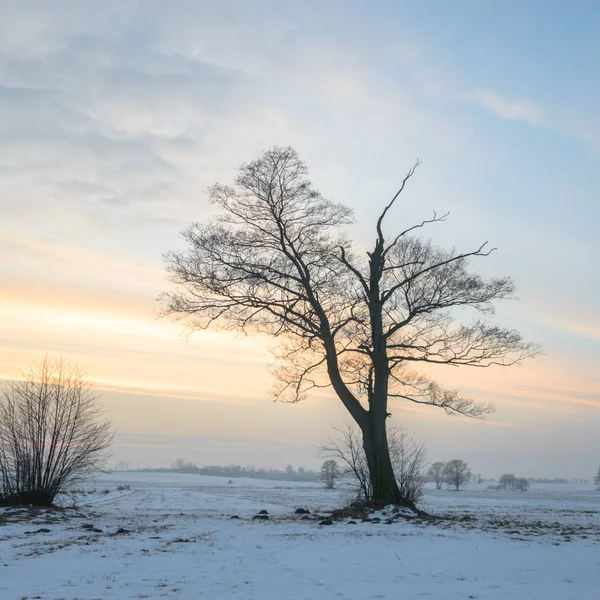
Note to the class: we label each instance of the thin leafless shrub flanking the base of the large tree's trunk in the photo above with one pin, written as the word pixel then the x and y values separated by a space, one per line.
pixel 407 455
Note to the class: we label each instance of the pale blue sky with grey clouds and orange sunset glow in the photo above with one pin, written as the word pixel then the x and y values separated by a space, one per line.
pixel 115 117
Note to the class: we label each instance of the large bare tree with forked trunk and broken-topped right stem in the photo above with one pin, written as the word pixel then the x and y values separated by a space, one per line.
pixel 274 262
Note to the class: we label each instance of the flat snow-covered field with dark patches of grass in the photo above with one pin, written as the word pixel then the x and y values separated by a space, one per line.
pixel 178 540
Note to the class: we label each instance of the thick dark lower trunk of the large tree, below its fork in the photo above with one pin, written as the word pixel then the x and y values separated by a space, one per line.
pixel 384 487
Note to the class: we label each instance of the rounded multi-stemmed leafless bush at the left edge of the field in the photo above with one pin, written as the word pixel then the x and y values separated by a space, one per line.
pixel 52 434
